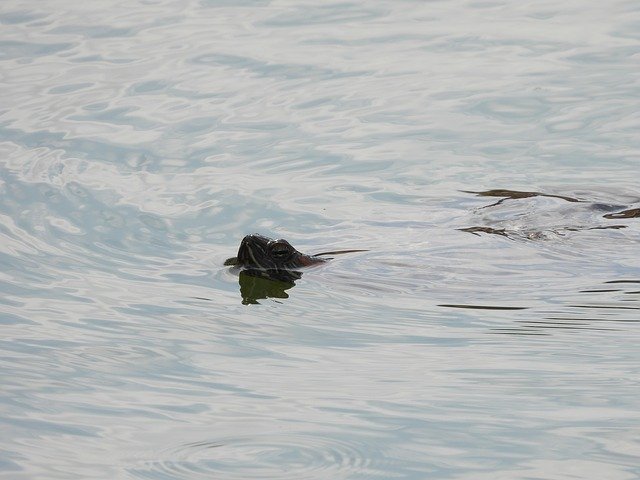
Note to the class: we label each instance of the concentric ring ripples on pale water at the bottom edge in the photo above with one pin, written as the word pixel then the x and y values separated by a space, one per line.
pixel 282 456
